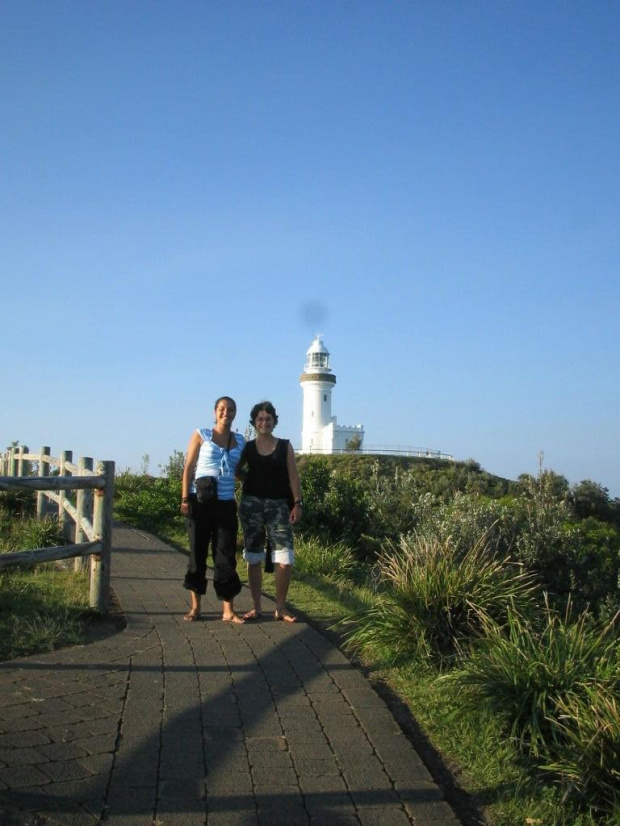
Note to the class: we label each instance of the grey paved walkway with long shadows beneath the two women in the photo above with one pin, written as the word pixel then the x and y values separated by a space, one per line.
pixel 170 723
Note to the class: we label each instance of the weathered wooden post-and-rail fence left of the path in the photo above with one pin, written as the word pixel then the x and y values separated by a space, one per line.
pixel 88 522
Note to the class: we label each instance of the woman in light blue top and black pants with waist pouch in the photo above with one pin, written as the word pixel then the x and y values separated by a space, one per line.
pixel 213 454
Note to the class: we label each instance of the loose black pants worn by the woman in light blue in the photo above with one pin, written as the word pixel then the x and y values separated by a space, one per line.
pixel 213 524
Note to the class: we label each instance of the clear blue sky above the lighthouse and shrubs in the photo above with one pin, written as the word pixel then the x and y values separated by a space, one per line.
pixel 191 190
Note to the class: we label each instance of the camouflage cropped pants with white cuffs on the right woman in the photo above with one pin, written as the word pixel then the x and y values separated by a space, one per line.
pixel 262 519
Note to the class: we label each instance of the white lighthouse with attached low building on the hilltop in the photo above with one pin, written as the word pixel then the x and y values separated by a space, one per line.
pixel 321 432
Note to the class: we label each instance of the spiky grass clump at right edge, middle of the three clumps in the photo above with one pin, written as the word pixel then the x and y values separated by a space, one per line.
pixel 530 674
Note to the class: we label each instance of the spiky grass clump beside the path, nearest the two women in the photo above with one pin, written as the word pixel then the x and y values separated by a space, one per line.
pixel 434 597
